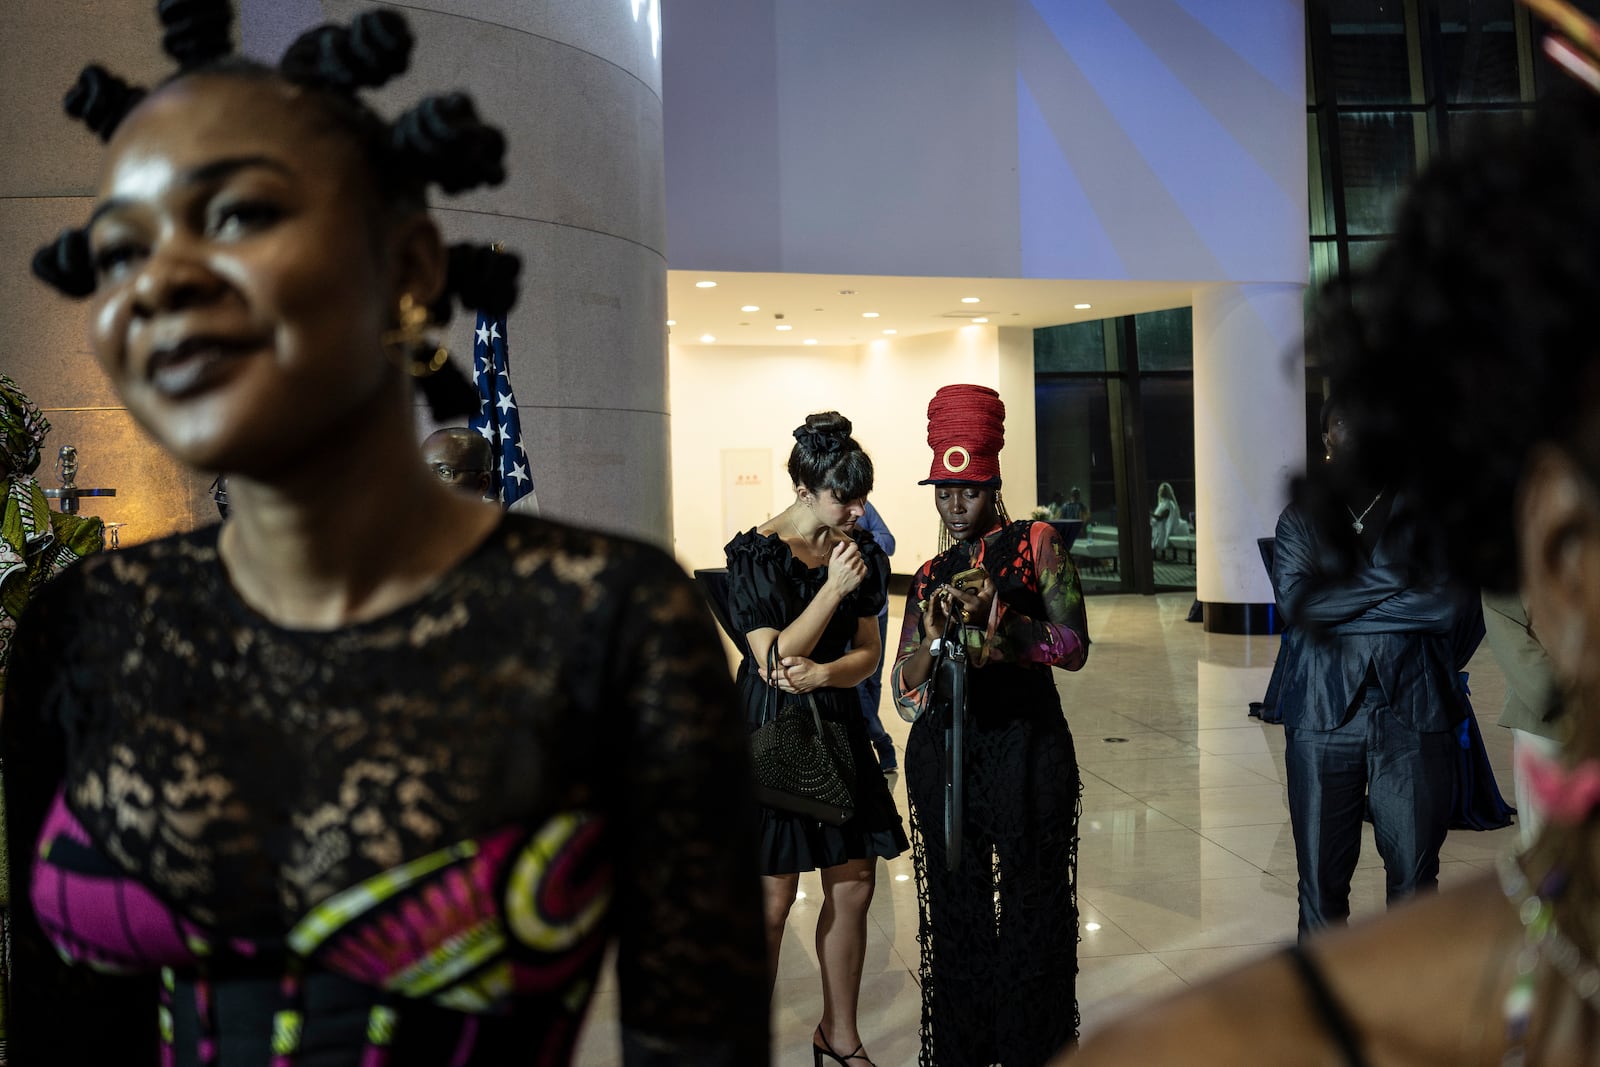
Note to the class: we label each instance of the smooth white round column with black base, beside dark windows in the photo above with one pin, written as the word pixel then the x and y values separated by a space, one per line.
pixel 1250 439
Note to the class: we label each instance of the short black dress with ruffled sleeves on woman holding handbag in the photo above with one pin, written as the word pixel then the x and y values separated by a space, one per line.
pixel 770 588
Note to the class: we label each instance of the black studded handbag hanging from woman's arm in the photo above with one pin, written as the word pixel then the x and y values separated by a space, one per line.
pixel 802 764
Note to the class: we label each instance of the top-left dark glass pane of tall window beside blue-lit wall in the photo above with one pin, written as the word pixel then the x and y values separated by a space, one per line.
pixel 1372 52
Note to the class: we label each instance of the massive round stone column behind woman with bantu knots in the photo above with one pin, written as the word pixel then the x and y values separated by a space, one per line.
pixel 575 84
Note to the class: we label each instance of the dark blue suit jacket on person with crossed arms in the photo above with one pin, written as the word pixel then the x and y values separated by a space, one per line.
pixel 1412 633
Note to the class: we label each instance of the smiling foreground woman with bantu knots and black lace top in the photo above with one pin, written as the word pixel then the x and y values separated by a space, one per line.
pixel 298 789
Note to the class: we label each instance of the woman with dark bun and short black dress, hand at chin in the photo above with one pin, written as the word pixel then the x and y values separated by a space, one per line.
pixel 814 583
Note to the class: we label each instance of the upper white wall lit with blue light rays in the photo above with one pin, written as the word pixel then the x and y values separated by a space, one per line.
pixel 1148 140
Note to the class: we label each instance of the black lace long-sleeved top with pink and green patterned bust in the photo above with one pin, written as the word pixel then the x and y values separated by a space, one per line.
pixel 538 754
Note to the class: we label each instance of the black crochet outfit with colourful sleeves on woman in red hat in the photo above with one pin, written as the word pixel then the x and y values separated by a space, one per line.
pixel 999 935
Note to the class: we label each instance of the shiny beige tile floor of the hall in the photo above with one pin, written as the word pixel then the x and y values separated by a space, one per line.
pixel 1186 863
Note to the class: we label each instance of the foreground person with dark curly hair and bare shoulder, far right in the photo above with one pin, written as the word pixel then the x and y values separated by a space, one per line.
pixel 1468 362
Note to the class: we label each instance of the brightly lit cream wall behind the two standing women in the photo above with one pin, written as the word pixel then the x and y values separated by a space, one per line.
pixel 753 398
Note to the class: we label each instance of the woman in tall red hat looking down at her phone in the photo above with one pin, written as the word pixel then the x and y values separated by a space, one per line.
pixel 999 925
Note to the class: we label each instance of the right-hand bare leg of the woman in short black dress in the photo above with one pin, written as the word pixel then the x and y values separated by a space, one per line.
pixel 842 948
